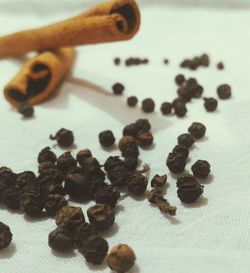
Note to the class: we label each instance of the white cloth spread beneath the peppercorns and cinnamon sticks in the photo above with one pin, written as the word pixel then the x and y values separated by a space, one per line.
pixel 211 235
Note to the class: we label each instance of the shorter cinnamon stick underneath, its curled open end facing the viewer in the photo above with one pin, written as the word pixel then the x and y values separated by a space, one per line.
pixel 39 77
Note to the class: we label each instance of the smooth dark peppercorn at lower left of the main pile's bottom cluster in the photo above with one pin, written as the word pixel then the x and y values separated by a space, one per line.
pixel 61 239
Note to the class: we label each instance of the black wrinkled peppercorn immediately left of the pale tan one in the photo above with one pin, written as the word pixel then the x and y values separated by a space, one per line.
pixel 94 249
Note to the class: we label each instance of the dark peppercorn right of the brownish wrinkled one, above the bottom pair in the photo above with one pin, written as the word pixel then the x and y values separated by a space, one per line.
pixel 102 216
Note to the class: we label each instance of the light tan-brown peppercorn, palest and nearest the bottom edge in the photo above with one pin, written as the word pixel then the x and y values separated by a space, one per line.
pixel 121 258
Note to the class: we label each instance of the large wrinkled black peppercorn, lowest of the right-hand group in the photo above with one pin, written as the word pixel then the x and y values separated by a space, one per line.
pixel 189 189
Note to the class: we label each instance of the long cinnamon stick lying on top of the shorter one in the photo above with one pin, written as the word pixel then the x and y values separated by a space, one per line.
pixel 112 21
